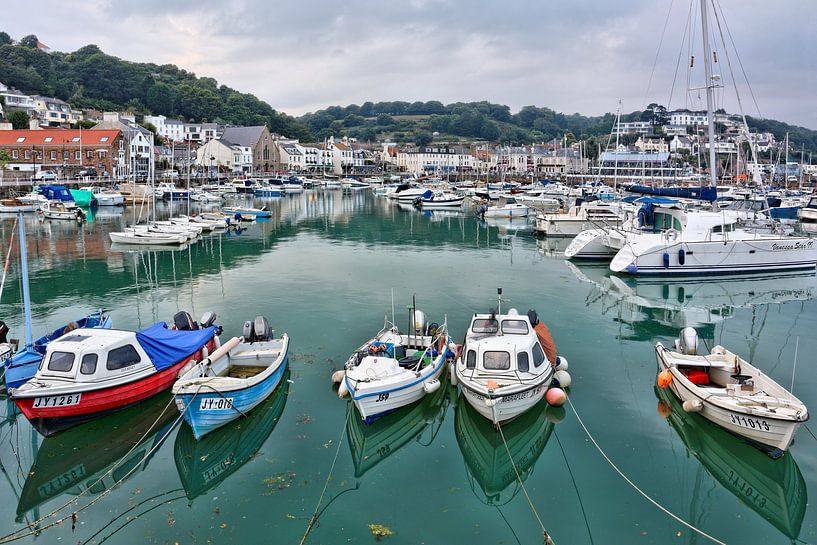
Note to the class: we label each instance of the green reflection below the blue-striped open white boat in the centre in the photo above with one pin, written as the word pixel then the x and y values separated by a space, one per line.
pixel 371 444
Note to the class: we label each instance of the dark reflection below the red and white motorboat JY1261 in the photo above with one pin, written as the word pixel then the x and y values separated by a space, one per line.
pixel 88 459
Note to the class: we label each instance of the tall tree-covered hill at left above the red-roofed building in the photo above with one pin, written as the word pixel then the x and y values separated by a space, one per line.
pixel 90 78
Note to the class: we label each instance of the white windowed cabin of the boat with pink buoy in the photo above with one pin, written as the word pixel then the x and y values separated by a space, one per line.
pixel 503 345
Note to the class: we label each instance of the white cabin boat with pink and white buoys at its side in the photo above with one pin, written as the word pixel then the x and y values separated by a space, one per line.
pixel 506 363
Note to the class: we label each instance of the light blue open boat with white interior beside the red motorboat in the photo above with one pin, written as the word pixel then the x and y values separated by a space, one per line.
pixel 242 373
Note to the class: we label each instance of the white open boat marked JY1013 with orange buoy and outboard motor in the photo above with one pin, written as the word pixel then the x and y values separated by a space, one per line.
pixel 731 392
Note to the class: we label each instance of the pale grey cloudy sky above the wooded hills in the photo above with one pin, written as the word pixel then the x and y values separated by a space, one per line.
pixel 577 56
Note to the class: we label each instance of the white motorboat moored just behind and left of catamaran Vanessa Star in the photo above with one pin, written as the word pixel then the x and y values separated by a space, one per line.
pixel 587 215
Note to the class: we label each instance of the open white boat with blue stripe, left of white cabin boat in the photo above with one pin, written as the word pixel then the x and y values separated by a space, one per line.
pixel 392 370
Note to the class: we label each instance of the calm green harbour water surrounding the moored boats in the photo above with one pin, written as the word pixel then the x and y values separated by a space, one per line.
pixel 322 269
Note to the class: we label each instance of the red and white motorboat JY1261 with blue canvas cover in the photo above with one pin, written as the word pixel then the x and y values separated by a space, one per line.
pixel 91 372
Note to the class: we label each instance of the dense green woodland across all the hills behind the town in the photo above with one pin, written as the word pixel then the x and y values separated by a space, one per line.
pixel 89 78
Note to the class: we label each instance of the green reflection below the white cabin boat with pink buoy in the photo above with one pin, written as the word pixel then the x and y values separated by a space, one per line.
pixel 486 457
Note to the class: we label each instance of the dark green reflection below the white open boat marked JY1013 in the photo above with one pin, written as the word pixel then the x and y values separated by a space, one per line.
pixel 774 489
